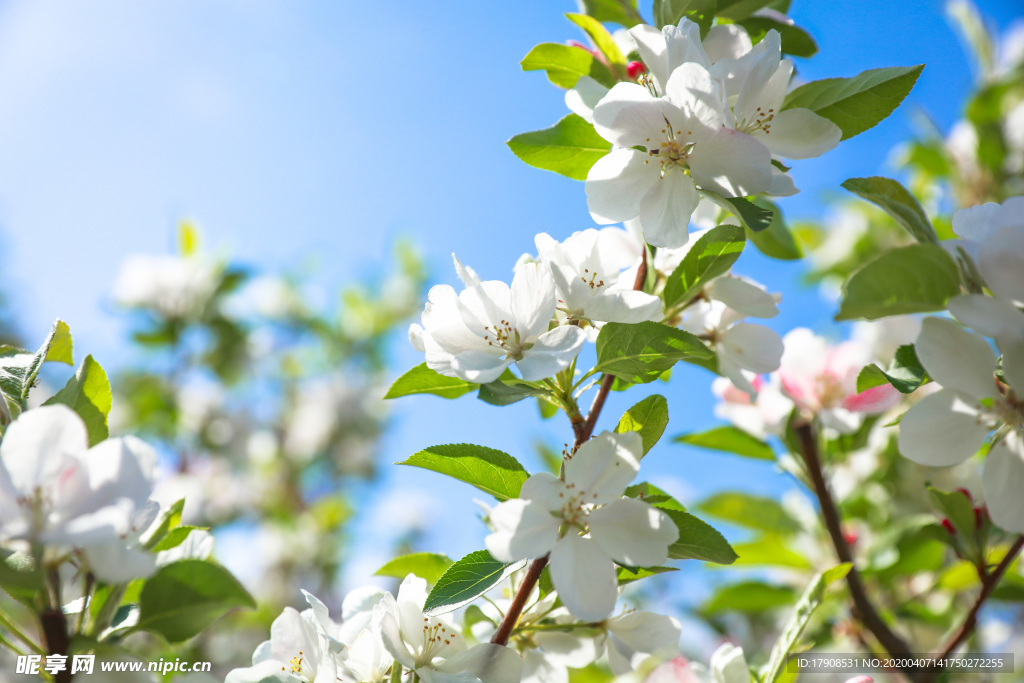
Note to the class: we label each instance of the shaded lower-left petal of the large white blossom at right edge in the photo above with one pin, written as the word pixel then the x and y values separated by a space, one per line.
pixel 942 431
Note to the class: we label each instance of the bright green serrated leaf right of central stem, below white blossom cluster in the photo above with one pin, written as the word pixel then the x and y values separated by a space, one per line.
pixel 642 353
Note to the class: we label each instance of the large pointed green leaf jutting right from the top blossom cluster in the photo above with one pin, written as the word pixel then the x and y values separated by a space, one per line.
pixel 860 103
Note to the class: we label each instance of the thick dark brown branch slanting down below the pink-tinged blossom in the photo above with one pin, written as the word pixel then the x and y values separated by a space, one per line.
pixel 864 611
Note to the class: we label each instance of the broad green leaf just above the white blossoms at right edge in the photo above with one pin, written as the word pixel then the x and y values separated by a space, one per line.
pixel 909 280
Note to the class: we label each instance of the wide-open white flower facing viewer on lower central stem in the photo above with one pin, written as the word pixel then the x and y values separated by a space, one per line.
pixel 585 525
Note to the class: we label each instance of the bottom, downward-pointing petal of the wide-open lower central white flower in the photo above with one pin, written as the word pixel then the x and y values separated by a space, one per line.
pixel 585 578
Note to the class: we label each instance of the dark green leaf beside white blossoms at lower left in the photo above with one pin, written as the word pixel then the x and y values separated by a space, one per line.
pixel 184 599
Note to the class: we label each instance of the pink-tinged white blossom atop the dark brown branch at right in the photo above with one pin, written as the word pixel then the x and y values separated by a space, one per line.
pixel 823 380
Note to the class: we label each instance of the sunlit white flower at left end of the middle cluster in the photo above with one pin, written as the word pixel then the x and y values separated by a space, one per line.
pixel 478 334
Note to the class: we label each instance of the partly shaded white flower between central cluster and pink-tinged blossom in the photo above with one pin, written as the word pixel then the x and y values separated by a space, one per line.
pixel 742 348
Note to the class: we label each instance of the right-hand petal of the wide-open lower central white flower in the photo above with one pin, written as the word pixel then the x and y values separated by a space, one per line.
pixel 633 533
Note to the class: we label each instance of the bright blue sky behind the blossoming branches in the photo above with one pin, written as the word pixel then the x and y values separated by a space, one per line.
pixel 298 129
